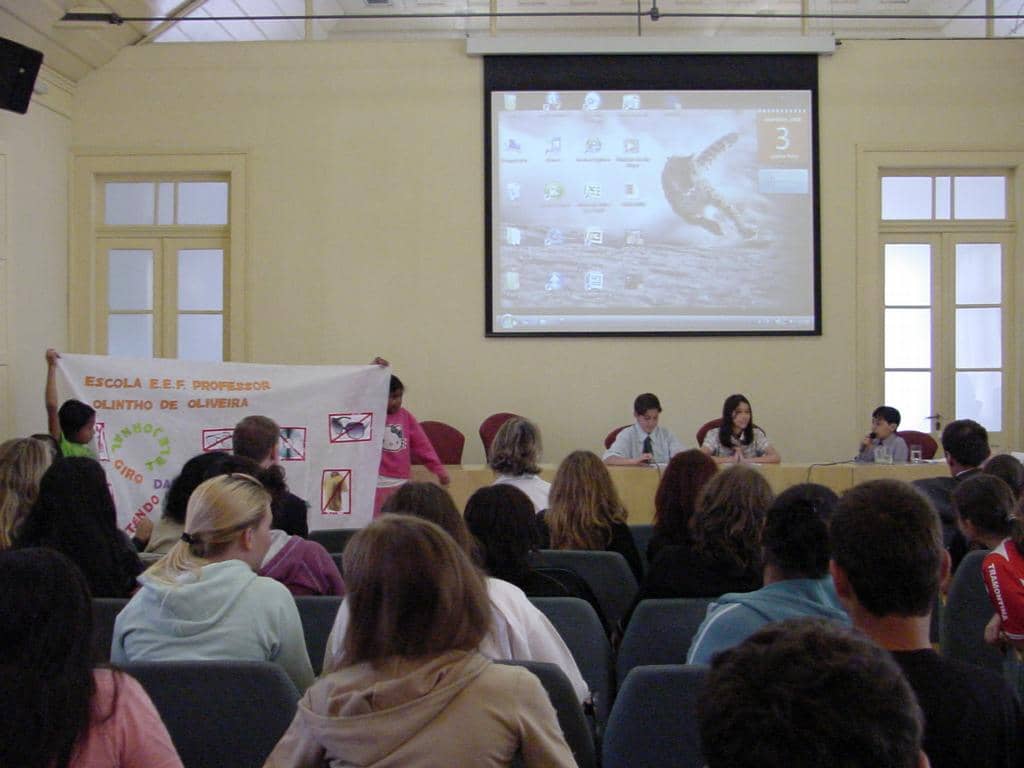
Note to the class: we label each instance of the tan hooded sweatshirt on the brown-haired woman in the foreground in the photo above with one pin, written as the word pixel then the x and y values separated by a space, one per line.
pixel 454 709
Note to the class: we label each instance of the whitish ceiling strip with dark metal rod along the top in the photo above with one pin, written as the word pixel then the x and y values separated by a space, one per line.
pixel 74 50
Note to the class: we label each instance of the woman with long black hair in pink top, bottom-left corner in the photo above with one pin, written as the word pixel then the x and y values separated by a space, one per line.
pixel 58 711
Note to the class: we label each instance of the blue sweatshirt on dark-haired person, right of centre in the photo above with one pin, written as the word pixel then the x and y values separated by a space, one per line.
pixel 734 618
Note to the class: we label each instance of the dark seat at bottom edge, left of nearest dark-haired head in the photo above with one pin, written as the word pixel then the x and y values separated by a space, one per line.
pixel 654 723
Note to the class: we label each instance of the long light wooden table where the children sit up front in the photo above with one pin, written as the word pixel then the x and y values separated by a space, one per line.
pixel 637 486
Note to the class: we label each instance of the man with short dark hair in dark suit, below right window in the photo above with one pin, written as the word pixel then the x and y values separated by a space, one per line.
pixel 966 446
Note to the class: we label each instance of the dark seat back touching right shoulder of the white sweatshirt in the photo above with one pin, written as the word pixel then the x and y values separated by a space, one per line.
pixel 583 633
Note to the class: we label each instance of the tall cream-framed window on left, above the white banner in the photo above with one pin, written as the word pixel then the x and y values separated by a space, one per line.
pixel 162 247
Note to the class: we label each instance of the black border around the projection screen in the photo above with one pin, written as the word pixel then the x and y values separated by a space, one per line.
pixel 649 72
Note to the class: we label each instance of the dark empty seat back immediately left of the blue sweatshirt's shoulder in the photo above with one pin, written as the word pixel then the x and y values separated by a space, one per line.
pixel 660 632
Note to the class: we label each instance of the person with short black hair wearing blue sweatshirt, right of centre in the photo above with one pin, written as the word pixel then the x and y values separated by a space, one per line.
pixel 795 543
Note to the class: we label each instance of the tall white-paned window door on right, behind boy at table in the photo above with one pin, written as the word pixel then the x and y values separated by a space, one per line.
pixel 947 250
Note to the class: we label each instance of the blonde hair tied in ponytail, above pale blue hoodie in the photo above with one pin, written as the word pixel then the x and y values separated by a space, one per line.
pixel 219 513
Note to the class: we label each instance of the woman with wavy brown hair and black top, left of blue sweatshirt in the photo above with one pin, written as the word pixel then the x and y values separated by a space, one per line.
pixel 726 553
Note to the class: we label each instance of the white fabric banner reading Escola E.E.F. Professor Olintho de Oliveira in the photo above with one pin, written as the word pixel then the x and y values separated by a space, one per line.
pixel 154 415
